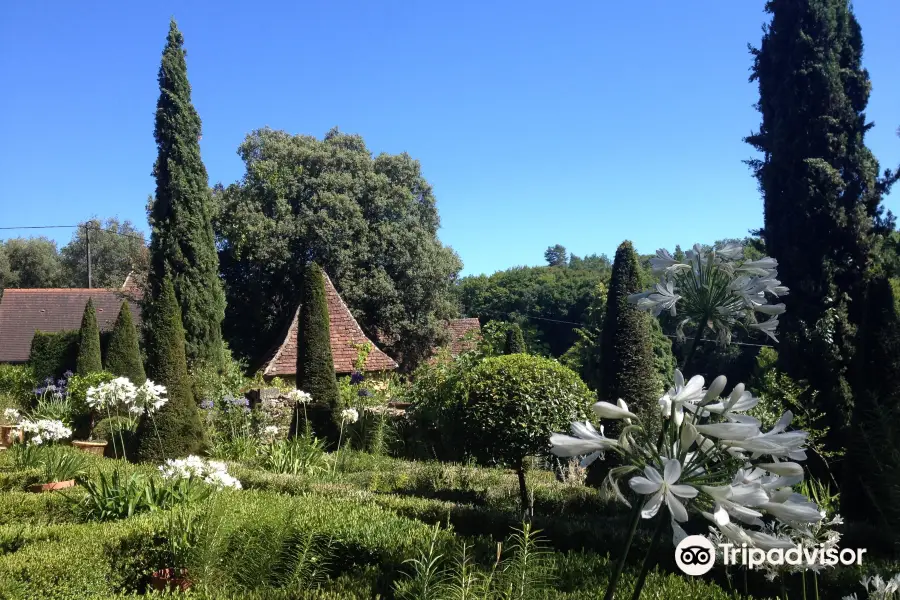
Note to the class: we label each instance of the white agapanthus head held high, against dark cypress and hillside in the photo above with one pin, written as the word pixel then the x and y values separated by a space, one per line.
pixel 717 289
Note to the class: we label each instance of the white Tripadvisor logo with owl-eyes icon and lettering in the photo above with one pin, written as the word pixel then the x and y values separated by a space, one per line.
pixel 696 555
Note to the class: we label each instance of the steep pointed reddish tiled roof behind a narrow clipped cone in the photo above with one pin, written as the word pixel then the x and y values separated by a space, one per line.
pixel 345 332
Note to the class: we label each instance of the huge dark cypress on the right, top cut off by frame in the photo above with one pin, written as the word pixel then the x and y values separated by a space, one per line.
pixel 820 187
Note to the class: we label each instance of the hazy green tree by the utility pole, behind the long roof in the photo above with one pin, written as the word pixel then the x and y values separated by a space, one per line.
pixel 117 249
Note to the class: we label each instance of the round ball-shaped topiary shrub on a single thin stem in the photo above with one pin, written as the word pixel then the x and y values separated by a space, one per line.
pixel 514 403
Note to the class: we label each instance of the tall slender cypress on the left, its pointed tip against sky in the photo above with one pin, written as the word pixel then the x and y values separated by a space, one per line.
pixel 181 242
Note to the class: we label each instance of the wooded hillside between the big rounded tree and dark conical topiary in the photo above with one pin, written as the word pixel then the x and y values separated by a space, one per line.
pixel 540 297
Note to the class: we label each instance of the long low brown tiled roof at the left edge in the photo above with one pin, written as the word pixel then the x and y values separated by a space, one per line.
pixel 24 311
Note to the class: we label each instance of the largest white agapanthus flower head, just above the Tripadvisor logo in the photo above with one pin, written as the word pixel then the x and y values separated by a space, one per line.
pixel 711 459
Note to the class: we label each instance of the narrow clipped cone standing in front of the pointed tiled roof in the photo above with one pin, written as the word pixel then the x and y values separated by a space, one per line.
pixel 315 364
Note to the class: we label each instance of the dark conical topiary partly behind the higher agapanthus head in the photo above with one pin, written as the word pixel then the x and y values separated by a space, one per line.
pixel 627 361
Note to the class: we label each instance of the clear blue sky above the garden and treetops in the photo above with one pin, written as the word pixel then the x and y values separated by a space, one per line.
pixel 583 123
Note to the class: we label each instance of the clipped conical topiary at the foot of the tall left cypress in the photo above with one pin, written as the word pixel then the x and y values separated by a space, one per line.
pixel 175 430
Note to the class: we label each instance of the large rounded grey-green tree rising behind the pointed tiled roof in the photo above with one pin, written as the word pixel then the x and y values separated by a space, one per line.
pixel 371 223
